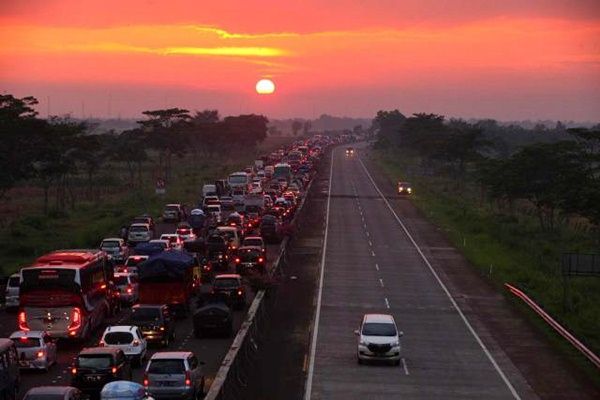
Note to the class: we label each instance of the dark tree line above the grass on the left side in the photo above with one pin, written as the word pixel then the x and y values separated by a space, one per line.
pixel 55 153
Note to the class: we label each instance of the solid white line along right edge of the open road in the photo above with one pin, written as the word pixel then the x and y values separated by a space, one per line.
pixel 445 289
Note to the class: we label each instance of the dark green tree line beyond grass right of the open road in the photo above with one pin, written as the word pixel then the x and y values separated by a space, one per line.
pixel 554 170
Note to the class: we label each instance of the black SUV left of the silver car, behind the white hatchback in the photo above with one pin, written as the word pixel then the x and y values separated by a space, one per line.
pixel 96 366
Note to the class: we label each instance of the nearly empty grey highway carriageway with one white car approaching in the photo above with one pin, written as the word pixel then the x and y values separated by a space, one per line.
pixel 371 265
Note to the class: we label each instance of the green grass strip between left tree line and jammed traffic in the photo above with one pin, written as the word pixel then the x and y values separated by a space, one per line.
pixel 33 233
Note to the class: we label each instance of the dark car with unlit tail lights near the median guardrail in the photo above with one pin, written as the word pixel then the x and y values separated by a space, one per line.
pixel 215 317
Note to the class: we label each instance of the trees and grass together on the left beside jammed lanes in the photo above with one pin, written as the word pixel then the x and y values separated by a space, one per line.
pixel 62 187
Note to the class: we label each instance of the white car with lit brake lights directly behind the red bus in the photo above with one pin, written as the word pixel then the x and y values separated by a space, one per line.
pixel 36 349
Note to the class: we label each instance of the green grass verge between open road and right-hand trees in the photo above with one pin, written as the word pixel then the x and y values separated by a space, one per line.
pixel 514 250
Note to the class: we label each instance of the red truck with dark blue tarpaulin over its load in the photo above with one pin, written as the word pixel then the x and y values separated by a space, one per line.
pixel 168 278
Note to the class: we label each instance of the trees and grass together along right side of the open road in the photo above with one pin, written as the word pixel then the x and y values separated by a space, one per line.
pixel 513 200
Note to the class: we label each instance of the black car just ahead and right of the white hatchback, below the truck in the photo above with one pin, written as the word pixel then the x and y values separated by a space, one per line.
pixel 155 322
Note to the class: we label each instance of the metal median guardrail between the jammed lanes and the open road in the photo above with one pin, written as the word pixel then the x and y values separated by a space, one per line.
pixel 231 378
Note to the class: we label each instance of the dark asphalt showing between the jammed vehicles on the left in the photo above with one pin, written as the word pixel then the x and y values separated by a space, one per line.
pixel 209 350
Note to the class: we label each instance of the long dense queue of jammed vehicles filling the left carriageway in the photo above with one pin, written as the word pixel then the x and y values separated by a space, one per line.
pixel 113 312
